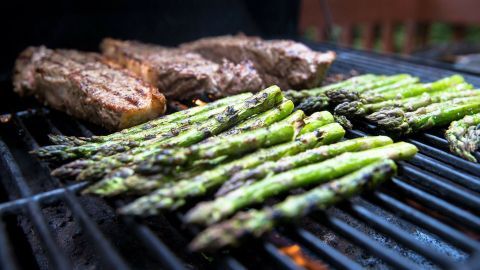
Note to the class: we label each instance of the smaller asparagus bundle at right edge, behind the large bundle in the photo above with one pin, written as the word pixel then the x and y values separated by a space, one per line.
pixel 400 104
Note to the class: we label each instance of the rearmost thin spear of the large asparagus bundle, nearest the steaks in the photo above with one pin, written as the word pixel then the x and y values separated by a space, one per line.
pixel 167 119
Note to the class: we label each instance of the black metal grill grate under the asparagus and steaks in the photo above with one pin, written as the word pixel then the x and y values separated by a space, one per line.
pixel 427 217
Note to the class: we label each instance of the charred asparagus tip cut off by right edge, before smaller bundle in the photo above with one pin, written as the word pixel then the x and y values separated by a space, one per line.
pixel 458 136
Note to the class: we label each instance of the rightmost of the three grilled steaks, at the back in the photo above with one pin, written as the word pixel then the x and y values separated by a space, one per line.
pixel 283 62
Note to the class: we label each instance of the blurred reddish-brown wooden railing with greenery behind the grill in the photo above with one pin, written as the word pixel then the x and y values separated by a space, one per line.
pixel 443 30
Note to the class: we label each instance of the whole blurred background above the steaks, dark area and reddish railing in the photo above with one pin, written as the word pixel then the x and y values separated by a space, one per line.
pixel 434 30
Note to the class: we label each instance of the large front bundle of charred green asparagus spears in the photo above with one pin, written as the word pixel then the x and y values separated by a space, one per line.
pixel 242 150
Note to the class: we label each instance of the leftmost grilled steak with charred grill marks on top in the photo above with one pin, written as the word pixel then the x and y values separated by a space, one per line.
pixel 86 86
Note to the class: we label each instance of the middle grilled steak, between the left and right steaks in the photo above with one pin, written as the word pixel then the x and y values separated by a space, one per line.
pixel 183 75
